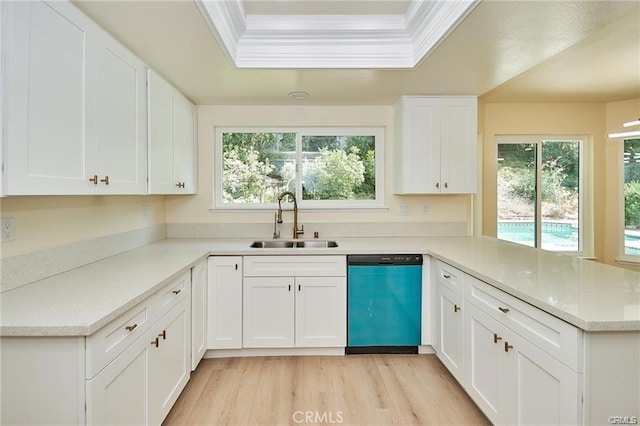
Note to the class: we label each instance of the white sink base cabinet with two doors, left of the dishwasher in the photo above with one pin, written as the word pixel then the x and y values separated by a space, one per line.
pixel 295 311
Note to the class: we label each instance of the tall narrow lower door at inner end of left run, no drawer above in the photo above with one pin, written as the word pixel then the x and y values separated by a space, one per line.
pixel 199 305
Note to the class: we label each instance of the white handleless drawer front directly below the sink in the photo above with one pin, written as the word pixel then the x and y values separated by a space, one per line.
pixel 300 266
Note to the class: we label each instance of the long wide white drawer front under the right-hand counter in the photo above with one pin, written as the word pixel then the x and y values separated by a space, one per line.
pixel 559 339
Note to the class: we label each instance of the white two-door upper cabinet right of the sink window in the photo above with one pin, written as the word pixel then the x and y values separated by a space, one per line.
pixel 436 145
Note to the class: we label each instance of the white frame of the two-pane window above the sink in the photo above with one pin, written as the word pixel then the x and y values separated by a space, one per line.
pixel 377 132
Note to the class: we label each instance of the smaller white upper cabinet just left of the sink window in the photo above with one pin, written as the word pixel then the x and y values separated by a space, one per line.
pixel 171 139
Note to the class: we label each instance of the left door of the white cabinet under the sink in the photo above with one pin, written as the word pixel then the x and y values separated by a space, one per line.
pixel 268 312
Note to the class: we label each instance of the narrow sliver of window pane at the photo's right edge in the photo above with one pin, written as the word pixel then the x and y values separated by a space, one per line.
pixel 632 197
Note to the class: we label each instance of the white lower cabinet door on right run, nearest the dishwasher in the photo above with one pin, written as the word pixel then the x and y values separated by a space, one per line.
pixel 451 340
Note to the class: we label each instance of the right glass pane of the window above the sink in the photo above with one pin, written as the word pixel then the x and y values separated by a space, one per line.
pixel 338 168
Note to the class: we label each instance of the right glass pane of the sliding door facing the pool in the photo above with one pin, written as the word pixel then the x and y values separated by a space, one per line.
pixel 560 195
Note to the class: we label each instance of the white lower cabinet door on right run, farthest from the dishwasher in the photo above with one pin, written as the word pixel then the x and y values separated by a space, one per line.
pixel 541 390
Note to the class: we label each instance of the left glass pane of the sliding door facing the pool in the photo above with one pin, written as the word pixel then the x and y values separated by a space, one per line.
pixel 517 192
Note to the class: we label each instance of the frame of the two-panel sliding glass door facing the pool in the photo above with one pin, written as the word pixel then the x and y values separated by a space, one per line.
pixel 585 231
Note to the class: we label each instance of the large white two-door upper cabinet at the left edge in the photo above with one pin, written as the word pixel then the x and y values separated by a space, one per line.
pixel 74 105
